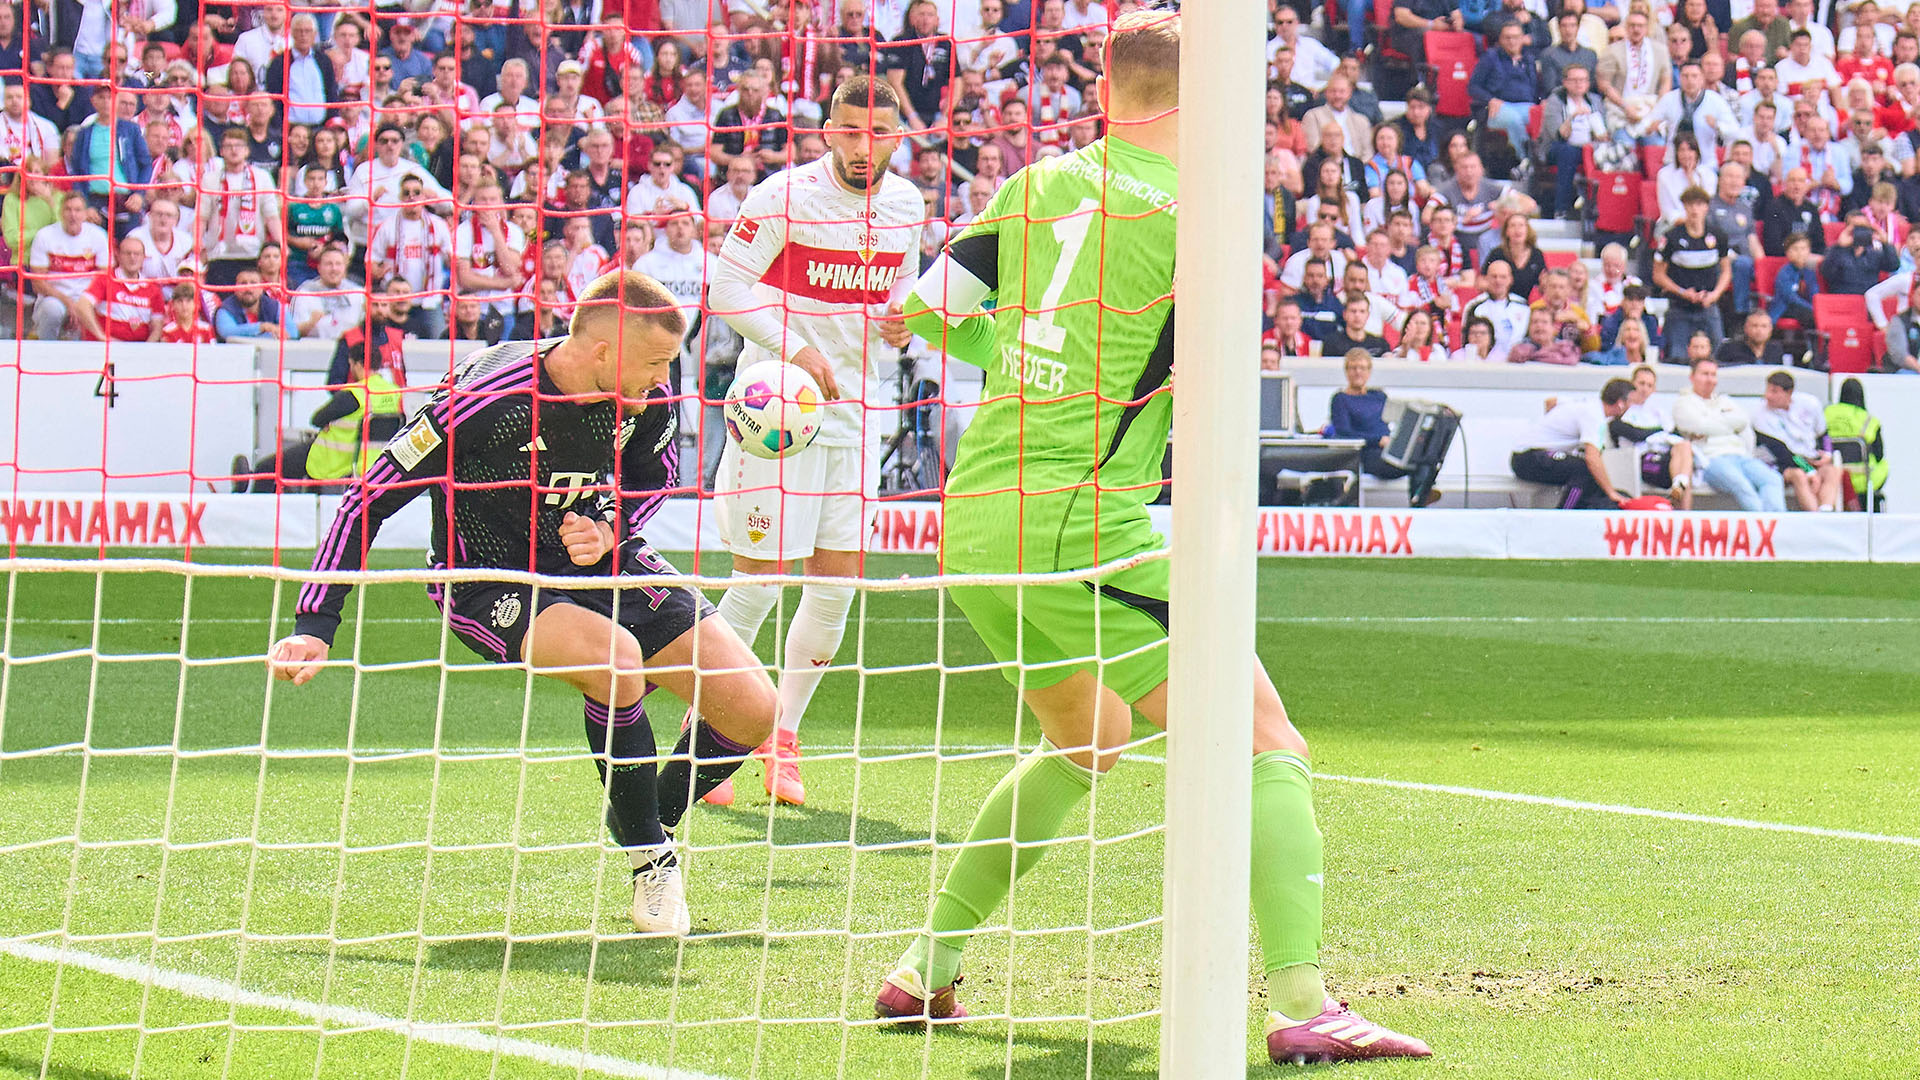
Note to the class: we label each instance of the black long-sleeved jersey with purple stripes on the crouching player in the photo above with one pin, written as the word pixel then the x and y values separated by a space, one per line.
pixel 504 458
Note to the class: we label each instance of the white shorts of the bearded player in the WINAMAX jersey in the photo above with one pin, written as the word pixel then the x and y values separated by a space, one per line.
pixel 821 499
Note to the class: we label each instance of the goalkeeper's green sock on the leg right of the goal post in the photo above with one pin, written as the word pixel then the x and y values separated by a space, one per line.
pixel 1287 883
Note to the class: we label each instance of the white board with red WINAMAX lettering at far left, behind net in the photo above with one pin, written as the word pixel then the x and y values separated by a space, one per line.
pixel 158 522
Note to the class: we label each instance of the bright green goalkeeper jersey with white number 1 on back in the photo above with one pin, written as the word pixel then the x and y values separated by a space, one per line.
pixel 1076 255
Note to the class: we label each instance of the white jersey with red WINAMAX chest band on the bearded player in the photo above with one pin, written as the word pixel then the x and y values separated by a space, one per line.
pixel 823 260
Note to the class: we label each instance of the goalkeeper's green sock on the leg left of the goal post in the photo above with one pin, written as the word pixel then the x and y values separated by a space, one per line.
pixel 1028 806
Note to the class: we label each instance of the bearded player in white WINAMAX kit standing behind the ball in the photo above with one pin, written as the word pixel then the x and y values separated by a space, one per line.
pixel 809 272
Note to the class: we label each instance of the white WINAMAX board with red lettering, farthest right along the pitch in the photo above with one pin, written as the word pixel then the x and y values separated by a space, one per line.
pixel 1700 535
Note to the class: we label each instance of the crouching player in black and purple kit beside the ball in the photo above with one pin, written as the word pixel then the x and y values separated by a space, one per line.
pixel 552 456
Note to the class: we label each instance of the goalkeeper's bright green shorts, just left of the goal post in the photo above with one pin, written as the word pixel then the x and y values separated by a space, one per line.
pixel 1045 633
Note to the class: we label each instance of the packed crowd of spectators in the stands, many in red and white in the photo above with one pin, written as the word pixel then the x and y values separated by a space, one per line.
pixel 201 170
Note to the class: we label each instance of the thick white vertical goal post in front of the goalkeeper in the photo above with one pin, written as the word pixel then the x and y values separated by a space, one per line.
pixel 1211 710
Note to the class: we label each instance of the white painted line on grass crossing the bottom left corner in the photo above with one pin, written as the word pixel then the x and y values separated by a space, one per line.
pixel 345 1018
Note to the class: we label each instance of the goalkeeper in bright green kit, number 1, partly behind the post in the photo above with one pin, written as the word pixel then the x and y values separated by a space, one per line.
pixel 1055 476
